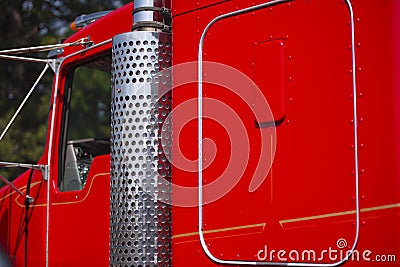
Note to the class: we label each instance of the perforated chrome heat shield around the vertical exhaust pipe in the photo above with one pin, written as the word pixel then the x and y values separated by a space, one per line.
pixel 140 223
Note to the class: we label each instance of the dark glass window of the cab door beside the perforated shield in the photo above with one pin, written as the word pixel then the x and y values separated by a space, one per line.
pixel 86 121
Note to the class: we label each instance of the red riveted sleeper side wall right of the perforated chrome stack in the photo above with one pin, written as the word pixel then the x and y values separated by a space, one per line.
pixel 307 200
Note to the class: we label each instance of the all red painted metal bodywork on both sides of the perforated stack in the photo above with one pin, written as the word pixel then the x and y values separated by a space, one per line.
pixel 300 56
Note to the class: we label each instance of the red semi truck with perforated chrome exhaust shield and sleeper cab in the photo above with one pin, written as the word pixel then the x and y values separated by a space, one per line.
pixel 237 133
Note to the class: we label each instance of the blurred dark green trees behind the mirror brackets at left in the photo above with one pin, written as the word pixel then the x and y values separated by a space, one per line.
pixel 29 23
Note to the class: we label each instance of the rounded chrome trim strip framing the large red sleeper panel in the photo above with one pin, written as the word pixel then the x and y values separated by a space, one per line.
pixel 200 145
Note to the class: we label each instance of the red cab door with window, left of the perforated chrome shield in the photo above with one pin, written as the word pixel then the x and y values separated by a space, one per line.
pixel 79 213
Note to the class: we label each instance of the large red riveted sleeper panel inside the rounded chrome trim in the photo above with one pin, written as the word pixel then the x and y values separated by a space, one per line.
pixel 300 59
